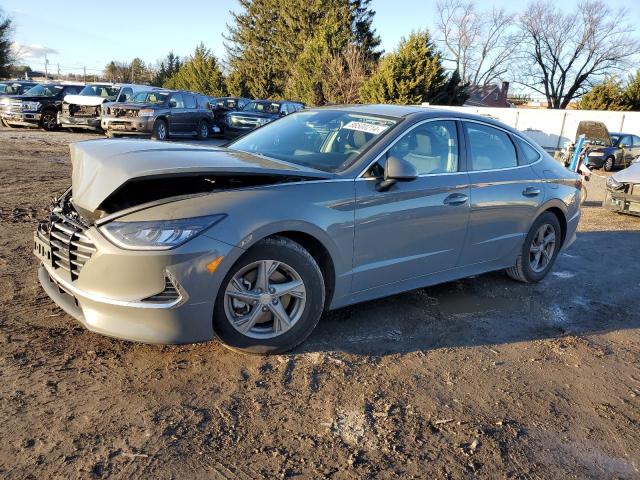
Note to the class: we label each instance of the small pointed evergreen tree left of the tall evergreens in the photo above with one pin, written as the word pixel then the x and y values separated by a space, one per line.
pixel 200 73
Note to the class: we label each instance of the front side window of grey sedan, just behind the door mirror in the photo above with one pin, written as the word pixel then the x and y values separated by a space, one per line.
pixel 431 147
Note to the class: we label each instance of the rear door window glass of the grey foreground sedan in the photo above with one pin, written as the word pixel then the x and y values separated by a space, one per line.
pixel 490 148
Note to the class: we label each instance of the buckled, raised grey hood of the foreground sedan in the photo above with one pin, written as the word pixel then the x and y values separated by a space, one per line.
pixel 100 167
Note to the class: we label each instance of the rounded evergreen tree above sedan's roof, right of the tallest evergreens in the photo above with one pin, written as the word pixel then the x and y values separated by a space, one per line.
pixel 412 74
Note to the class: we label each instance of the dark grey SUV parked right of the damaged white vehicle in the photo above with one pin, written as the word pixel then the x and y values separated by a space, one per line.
pixel 160 114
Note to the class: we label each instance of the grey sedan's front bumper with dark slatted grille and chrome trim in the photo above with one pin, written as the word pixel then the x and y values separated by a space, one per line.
pixel 164 297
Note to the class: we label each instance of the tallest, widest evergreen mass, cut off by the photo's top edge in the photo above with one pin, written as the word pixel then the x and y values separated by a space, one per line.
pixel 268 37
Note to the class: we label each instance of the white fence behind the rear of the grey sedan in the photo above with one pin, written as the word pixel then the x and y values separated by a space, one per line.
pixel 551 129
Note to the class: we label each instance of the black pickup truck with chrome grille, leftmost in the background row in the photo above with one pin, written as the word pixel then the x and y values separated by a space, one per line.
pixel 38 106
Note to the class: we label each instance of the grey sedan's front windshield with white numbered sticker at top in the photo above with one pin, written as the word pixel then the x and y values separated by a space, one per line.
pixel 327 140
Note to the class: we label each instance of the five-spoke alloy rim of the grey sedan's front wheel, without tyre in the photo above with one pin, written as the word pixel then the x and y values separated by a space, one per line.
pixel 265 299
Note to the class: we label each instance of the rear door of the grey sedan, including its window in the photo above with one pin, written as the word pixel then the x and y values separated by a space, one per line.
pixel 505 194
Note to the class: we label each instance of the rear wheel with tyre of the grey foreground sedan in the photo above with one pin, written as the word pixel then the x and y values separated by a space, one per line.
pixel 539 250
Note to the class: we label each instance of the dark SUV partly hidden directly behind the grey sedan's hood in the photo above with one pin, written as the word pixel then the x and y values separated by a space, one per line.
pixel 257 113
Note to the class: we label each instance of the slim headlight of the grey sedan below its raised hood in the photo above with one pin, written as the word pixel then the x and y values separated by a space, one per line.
pixel 157 235
